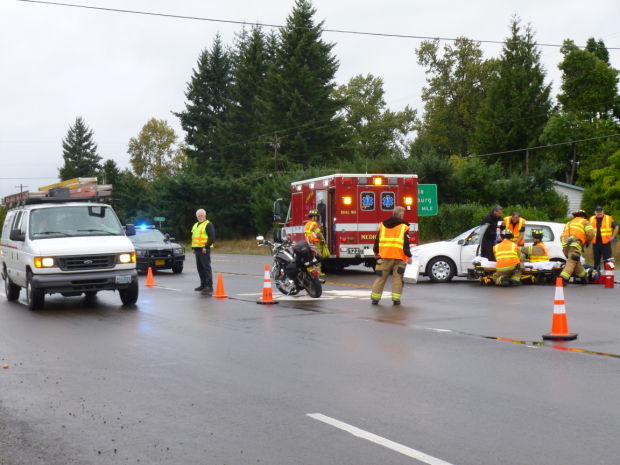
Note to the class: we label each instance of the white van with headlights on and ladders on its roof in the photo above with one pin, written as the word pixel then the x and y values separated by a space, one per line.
pixel 67 247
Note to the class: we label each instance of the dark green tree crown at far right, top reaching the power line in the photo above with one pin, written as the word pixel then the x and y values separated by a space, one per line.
pixel 589 84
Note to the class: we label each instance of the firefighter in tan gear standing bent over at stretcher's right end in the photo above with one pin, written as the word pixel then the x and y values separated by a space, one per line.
pixel 577 234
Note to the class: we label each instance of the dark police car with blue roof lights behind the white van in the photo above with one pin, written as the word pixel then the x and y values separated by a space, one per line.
pixel 156 250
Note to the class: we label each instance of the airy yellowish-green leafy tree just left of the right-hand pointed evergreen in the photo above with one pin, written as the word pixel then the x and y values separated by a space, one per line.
pixel 456 85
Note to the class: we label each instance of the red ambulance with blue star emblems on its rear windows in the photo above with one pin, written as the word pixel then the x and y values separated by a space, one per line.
pixel 351 208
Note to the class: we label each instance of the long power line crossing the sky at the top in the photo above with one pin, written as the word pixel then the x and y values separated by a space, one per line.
pixel 280 26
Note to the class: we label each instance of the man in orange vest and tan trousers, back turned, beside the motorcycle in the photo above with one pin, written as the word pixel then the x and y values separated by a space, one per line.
pixel 393 252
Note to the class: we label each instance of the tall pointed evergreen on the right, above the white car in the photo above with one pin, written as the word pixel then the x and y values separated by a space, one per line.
pixel 517 103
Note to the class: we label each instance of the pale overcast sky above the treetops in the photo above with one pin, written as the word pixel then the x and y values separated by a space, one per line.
pixel 118 70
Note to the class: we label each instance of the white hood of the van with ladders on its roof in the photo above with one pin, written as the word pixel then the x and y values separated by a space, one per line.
pixel 84 245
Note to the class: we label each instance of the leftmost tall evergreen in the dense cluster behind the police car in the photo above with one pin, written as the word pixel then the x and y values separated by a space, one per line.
pixel 208 95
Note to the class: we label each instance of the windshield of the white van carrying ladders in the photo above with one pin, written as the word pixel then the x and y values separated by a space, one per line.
pixel 74 221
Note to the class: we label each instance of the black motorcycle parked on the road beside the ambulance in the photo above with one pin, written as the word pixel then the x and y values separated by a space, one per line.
pixel 294 267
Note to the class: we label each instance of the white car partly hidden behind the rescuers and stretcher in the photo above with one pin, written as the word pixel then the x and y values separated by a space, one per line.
pixel 441 261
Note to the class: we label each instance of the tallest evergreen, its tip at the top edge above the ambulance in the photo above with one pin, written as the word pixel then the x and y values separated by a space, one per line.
pixel 301 82
